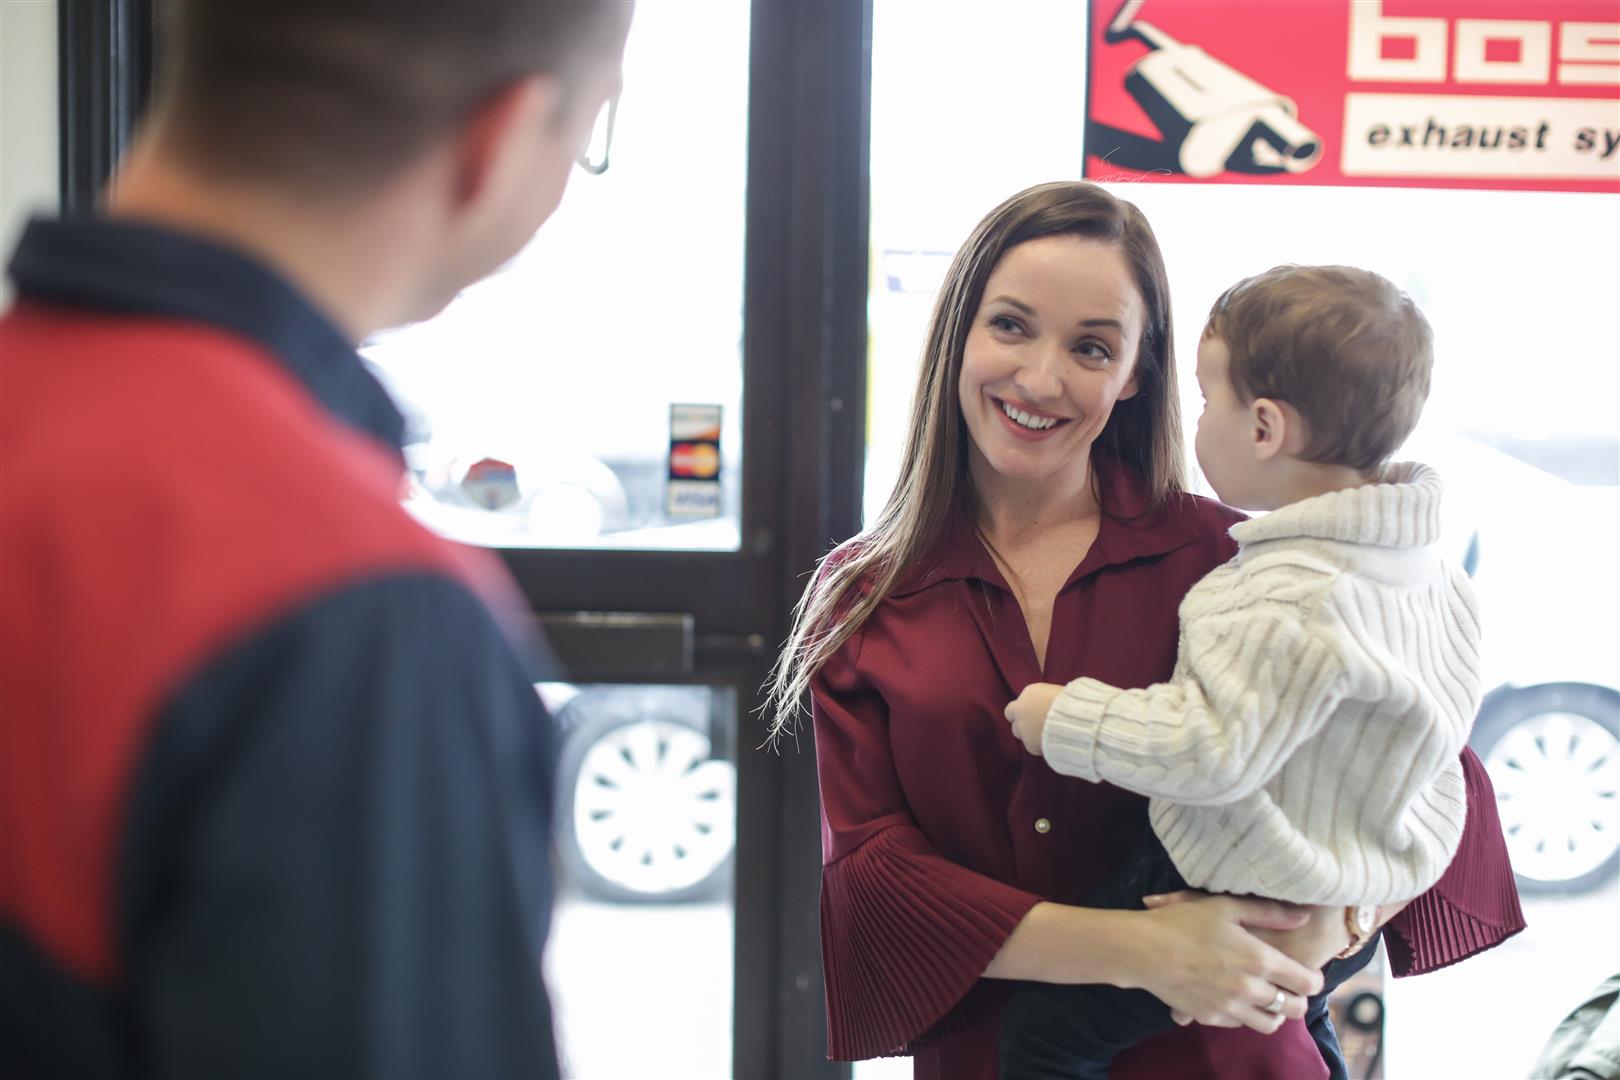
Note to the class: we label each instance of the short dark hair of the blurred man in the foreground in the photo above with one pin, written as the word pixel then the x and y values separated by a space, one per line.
pixel 339 95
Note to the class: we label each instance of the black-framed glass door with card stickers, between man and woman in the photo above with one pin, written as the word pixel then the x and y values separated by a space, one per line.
pixel 626 410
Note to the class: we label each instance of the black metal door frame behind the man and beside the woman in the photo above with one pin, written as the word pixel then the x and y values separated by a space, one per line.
pixel 804 443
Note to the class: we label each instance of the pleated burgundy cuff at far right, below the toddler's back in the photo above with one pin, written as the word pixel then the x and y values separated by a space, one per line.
pixel 1475 906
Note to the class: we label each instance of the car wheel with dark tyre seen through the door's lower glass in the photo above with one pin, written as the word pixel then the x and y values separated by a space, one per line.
pixel 646 814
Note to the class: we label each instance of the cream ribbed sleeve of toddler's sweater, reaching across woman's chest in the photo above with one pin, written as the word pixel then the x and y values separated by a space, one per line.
pixel 1253 682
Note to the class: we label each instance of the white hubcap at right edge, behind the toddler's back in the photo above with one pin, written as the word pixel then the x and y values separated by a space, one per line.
pixel 1558 780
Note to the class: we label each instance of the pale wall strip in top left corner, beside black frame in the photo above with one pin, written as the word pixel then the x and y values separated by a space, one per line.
pixel 28 117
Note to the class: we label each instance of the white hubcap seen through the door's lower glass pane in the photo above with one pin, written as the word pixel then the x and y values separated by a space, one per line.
pixel 652 812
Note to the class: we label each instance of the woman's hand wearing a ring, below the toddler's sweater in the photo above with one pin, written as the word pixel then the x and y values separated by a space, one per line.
pixel 1200 958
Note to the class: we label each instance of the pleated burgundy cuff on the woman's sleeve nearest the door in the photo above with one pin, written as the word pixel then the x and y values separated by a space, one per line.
pixel 905 938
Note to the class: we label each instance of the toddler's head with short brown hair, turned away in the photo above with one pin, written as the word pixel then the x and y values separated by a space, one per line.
pixel 1313 376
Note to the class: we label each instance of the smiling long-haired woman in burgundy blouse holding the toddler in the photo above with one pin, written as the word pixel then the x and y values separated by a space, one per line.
pixel 1041 532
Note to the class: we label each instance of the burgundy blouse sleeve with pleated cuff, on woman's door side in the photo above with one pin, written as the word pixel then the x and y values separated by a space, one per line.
pixel 906 933
